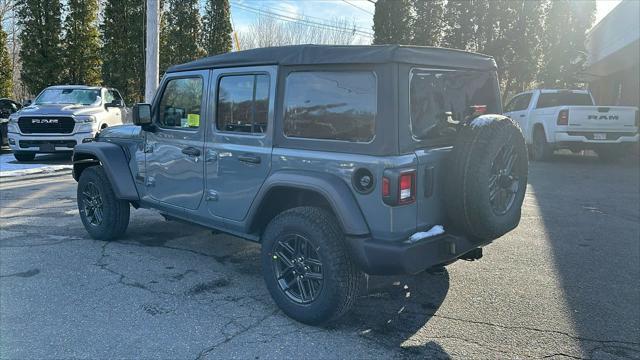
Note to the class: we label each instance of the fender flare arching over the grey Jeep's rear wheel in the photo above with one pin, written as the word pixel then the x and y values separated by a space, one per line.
pixel 331 187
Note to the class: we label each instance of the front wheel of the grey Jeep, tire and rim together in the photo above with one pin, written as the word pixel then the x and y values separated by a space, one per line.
pixel 104 216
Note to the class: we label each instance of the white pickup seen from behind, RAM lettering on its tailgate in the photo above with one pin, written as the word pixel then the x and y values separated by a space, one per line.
pixel 568 119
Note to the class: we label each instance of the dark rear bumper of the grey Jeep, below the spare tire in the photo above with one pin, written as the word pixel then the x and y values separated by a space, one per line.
pixel 377 257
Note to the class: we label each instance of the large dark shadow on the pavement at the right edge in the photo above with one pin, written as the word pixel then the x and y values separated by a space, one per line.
pixel 590 215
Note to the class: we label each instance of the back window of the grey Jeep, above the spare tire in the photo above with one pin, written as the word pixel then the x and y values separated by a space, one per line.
pixel 434 93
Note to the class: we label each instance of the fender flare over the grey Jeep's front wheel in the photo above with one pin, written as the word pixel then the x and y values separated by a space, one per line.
pixel 115 163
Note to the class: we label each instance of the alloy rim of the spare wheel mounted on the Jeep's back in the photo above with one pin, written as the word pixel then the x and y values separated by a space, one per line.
pixel 504 182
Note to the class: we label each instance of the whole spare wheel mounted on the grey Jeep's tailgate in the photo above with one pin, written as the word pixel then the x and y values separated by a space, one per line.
pixel 487 179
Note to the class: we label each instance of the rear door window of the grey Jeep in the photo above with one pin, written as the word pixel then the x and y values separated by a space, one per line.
pixel 243 103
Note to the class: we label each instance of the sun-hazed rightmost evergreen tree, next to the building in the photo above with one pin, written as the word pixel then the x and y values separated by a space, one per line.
pixel 565 27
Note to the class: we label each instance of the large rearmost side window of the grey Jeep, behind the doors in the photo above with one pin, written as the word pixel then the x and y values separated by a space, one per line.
pixel 331 105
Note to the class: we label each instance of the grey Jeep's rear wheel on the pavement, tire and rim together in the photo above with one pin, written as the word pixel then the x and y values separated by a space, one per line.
pixel 306 266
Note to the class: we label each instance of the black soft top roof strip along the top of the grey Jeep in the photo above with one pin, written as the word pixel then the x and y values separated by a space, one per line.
pixel 344 54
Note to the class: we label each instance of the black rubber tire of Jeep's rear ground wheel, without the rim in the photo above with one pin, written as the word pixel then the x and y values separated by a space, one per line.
pixel 341 278
